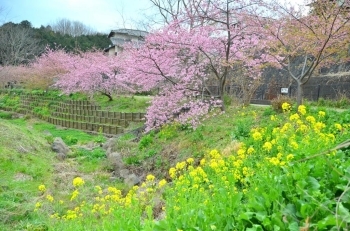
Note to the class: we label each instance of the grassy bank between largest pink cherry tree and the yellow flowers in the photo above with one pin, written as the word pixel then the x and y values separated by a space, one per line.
pixel 157 152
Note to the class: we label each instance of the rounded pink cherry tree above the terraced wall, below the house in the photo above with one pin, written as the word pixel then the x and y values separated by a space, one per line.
pixel 90 72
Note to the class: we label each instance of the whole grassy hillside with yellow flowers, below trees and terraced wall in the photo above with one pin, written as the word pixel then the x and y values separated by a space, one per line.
pixel 250 168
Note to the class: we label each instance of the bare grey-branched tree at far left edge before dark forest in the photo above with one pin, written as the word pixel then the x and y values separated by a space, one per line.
pixel 17 45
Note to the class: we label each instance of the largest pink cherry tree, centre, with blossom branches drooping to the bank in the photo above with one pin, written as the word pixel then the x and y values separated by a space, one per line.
pixel 206 44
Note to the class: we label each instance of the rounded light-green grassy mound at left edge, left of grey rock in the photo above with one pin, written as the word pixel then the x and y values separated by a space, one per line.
pixel 25 162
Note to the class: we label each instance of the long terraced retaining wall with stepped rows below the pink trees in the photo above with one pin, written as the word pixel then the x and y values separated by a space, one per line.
pixel 77 114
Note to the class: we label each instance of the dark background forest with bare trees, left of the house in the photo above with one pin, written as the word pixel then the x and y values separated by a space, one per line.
pixel 21 42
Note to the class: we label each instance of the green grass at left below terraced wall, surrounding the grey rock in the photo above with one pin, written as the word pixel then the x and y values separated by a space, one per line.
pixel 26 161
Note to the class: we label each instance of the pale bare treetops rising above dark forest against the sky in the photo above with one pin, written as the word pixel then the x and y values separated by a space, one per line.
pixel 73 28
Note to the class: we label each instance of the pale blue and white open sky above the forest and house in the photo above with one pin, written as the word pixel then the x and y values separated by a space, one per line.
pixel 100 15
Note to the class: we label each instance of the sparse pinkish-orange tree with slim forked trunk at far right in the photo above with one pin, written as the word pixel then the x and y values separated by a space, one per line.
pixel 303 43
